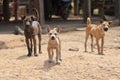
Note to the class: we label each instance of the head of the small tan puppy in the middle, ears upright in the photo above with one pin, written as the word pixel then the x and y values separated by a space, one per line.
pixel 53 33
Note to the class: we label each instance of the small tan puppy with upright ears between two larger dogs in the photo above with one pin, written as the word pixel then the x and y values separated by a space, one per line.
pixel 54 43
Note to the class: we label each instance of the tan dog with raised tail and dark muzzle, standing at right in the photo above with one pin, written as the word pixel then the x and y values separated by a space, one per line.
pixel 97 31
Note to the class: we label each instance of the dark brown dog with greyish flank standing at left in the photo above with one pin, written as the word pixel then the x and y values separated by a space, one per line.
pixel 32 28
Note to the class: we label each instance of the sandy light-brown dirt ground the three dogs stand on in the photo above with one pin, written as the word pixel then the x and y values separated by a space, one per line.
pixel 76 65
